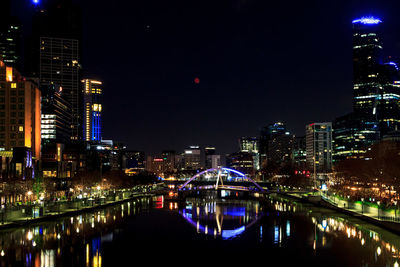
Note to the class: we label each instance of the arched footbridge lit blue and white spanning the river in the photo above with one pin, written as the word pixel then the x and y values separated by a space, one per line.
pixel 217 177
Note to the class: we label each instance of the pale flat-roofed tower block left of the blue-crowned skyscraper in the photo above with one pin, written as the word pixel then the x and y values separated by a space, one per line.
pixel 319 146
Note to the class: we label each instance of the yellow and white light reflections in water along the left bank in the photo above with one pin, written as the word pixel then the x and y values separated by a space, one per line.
pixel 70 241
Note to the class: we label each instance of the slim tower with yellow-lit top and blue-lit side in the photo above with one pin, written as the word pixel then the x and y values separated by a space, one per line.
pixel 93 110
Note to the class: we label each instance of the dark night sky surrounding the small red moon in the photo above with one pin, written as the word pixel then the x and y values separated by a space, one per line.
pixel 258 62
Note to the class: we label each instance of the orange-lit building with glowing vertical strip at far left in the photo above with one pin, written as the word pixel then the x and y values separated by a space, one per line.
pixel 19 112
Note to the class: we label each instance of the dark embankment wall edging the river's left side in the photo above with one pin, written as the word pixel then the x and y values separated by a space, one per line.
pixel 52 216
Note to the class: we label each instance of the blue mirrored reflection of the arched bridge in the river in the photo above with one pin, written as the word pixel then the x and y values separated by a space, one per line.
pixel 227 219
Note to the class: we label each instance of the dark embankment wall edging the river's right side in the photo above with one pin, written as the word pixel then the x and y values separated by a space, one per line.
pixel 390 226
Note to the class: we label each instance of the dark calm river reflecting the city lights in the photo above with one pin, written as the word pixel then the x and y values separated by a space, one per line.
pixel 202 231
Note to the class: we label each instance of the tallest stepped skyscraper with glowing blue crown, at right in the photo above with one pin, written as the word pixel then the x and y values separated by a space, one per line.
pixel 376 89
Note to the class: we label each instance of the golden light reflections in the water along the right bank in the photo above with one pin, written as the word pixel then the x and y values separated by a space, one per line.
pixel 368 246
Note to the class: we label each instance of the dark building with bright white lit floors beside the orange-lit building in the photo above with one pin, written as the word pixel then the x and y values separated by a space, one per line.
pixel 56 116
